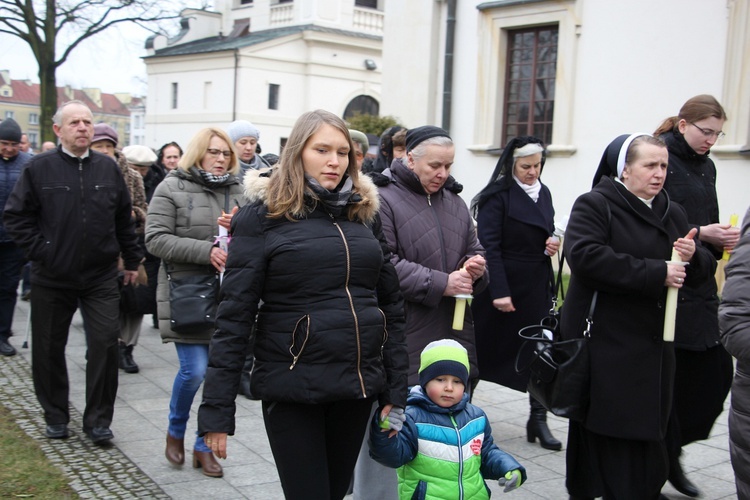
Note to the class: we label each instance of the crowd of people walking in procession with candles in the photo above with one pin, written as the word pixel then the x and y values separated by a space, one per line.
pixel 334 280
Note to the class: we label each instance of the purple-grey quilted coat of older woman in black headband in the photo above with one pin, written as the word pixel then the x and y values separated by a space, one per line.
pixel 429 236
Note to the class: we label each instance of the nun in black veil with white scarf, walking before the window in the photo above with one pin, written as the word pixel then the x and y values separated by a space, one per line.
pixel 515 224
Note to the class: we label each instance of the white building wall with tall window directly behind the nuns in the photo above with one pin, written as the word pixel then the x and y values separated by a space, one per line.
pixel 576 73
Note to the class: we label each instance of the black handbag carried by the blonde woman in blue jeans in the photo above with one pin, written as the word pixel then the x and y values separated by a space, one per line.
pixel 193 301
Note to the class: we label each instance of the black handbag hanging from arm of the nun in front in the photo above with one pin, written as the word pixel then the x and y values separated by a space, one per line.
pixel 559 375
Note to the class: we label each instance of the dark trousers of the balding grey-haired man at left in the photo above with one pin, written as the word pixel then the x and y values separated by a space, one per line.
pixel 52 310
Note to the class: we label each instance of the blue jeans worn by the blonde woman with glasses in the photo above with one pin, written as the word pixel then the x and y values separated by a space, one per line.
pixel 193 363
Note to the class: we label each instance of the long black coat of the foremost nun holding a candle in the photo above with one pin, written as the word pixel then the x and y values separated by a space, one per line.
pixel 616 245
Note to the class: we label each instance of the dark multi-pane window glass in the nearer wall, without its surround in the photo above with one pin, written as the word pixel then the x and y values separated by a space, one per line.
pixel 530 83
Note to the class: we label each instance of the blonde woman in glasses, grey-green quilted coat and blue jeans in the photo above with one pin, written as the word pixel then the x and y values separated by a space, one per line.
pixel 181 229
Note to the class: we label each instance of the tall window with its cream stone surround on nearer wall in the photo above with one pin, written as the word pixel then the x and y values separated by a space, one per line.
pixel 552 28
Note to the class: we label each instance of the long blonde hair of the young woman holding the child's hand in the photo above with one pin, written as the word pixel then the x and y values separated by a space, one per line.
pixel 287 186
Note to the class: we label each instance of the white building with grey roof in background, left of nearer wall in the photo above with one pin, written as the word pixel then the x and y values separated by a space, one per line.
pixel 265 61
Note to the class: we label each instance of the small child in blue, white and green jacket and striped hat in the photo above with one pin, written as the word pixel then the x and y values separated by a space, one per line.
pixel 442 444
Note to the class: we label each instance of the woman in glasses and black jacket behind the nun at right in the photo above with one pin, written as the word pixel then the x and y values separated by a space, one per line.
pixel 704 368
